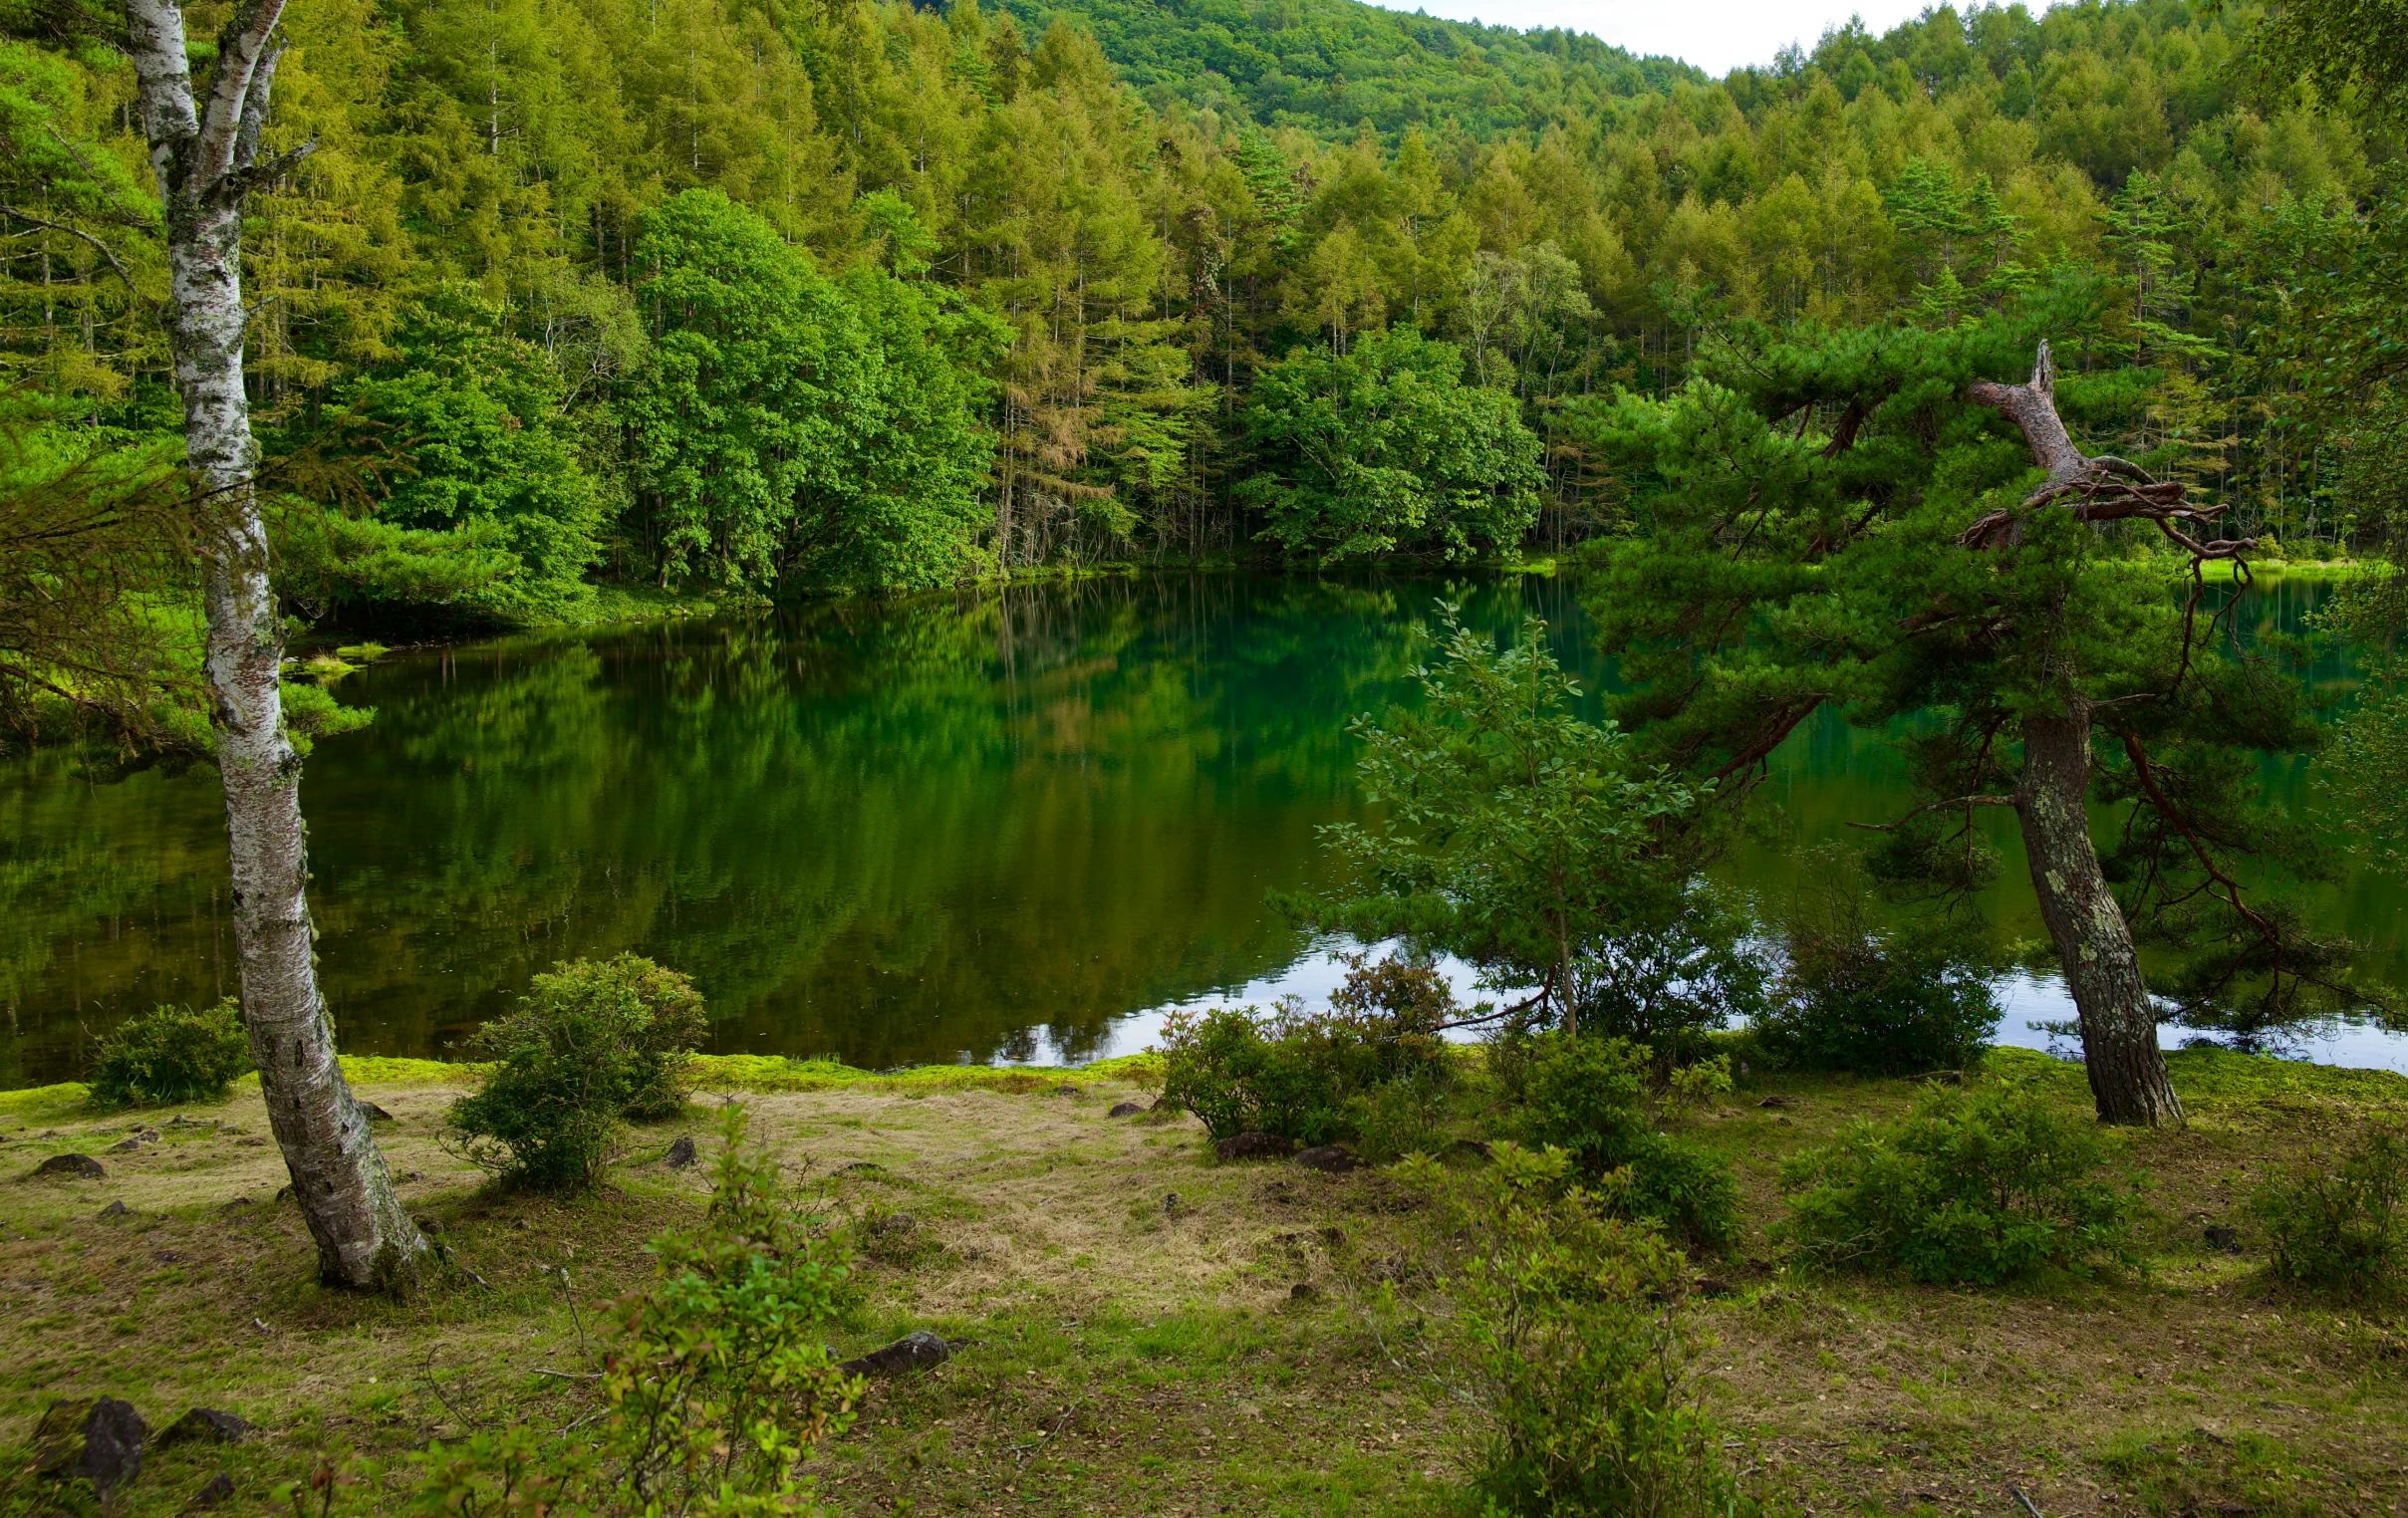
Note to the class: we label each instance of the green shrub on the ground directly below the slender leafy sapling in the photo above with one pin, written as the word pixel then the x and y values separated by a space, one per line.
pixel 1588 1096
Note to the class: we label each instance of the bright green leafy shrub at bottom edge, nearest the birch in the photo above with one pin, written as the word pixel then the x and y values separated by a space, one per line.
pixel 714 1384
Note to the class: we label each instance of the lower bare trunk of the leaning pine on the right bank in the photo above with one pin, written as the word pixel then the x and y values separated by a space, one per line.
pixel 2094 942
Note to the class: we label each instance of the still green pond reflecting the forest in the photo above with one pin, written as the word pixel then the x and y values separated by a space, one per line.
pixel 991 826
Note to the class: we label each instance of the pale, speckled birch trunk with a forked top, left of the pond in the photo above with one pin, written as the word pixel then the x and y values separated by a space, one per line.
pixel 206 155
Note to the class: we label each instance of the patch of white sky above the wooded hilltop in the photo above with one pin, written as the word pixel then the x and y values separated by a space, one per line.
pixel 1713 35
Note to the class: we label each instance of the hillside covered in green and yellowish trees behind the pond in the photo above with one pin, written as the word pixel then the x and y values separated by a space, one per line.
pixel 774 297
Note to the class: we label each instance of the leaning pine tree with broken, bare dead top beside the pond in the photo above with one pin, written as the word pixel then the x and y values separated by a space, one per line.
pixel 1870 521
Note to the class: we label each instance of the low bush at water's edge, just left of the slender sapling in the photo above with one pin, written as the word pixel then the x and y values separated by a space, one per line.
pixel 1299 1074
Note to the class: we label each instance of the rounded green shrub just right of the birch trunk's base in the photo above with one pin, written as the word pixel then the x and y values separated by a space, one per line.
pixel 589 1048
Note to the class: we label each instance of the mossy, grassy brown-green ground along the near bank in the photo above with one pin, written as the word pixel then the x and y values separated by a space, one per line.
pixel 1128 1353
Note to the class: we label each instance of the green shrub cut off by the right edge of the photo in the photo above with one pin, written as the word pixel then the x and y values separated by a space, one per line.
pixel 2339 1223
